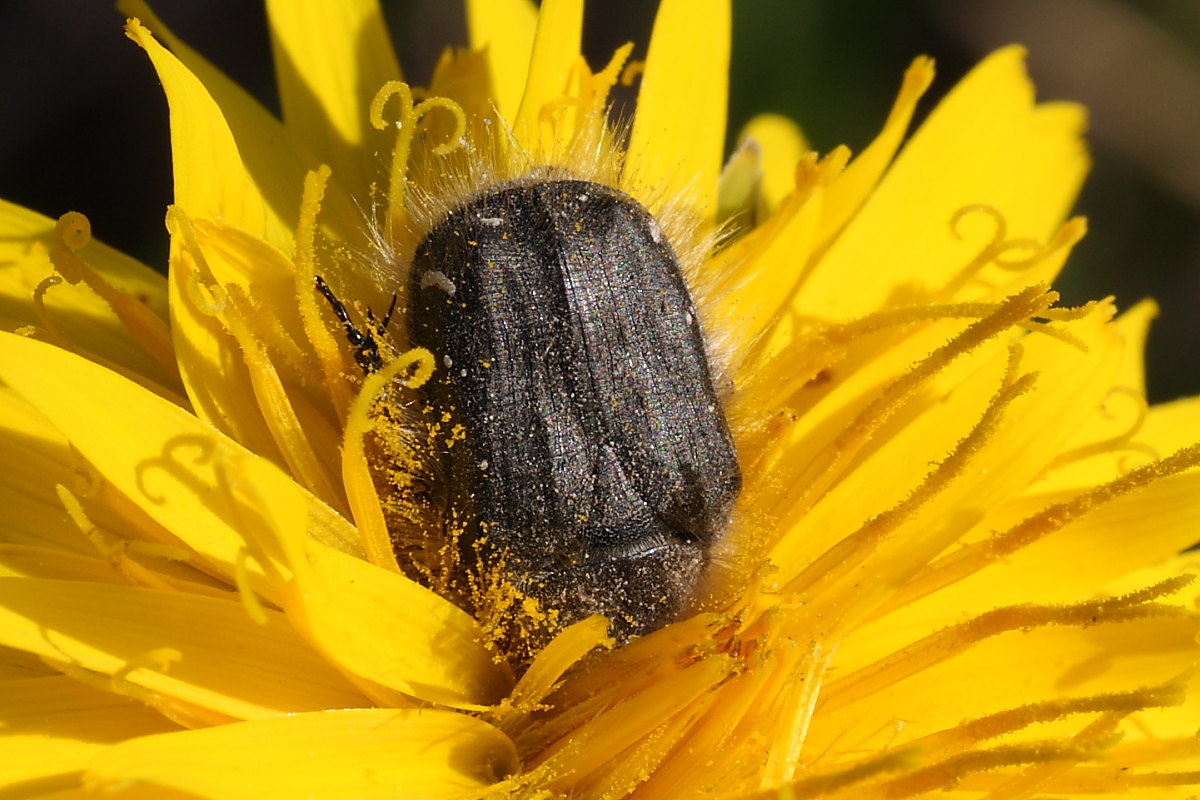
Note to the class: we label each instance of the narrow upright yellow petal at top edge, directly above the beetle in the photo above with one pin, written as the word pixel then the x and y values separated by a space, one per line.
pixel 556 51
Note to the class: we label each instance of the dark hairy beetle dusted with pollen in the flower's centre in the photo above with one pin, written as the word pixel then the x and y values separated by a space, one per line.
pixel 597 465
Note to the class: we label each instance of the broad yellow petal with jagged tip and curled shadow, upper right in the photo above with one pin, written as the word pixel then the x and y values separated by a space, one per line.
pixel 983 145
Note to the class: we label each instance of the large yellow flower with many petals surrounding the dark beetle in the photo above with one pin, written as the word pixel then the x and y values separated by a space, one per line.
pixel 955 566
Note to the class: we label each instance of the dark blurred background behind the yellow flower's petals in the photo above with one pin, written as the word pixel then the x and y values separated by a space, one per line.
pixel 86 124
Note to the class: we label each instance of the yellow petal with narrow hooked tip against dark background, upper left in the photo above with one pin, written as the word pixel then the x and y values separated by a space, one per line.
pixel 209 176
